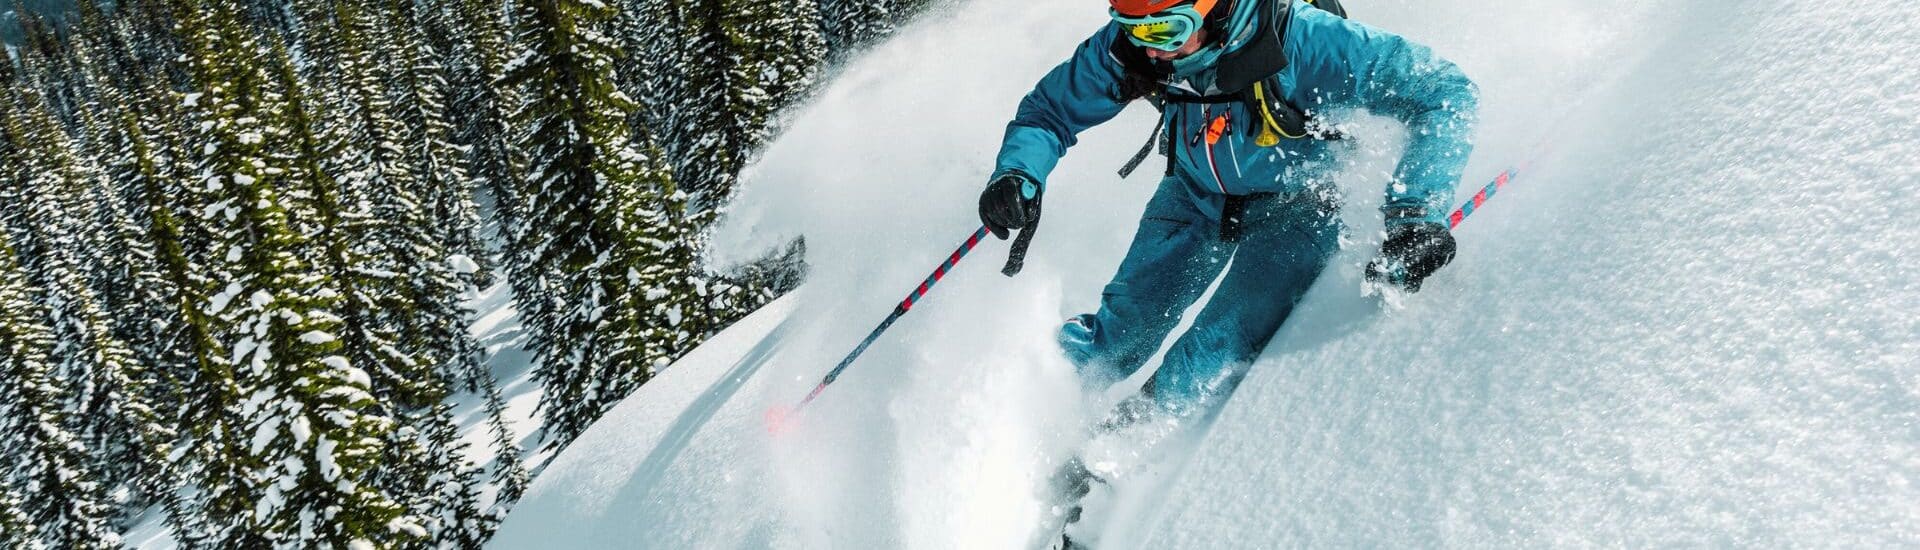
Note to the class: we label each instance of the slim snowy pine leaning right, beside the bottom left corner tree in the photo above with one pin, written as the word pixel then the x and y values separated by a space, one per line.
pixel 108 407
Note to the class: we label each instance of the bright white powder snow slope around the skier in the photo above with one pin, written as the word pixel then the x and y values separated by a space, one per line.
pixel 1689 324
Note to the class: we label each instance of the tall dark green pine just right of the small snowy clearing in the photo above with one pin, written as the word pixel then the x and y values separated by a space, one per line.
pixel 590 203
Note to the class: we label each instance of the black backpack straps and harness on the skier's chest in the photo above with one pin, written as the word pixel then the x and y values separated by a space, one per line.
pixel 1247 76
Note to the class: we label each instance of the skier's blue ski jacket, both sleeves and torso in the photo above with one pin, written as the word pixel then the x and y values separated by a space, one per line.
pixel 1333 64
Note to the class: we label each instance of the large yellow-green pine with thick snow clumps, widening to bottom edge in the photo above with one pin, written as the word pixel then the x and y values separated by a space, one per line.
pixel 289 462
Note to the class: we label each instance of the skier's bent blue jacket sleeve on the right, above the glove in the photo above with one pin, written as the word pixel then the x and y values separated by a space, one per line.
pixel 1397 78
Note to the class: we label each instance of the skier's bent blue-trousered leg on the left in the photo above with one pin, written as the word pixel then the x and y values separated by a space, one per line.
pixel 1172 261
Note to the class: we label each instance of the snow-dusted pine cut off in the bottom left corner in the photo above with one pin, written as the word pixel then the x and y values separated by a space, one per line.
pixel 45 476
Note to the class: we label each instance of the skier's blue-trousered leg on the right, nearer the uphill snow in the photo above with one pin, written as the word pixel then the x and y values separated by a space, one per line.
pixel 1289 241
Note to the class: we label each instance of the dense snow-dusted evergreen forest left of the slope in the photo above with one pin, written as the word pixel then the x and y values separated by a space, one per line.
pixel 239 243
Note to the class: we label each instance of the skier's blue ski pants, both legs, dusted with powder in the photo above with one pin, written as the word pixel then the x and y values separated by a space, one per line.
pixel 1284 245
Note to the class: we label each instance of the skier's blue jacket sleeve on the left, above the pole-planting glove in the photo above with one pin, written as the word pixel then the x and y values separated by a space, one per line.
pixel 1074 97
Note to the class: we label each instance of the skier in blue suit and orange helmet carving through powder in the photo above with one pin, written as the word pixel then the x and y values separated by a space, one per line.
pixel 1245 91
